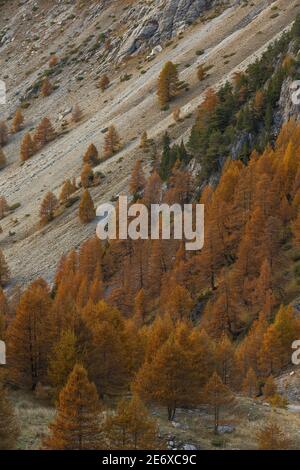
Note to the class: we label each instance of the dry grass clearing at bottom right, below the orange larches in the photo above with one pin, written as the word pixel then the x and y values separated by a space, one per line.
pixel 247 416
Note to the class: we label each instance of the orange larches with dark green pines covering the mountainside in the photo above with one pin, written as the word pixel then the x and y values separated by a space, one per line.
pixel 146 324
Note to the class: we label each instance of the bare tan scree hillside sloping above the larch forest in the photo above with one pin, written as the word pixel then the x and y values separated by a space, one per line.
pixel 88 41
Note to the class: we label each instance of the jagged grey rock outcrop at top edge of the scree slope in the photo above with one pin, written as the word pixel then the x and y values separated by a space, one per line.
pixel 165 20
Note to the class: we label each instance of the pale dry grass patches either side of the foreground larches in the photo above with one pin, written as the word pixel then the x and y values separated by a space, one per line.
pixel 195 426
